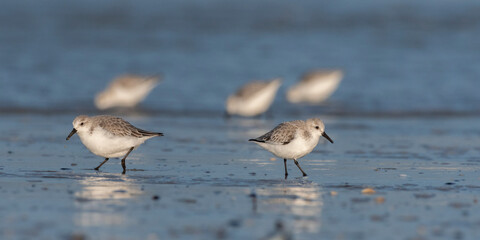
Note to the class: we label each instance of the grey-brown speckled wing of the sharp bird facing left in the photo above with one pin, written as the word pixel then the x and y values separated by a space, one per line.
pixel 120 127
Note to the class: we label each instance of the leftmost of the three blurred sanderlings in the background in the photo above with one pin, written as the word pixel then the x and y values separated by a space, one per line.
pixel 125 91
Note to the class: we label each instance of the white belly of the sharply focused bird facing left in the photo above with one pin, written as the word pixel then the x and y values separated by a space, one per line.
pixel 107 145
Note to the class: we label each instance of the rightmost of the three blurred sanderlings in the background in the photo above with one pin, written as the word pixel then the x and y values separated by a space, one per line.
pixel 315 87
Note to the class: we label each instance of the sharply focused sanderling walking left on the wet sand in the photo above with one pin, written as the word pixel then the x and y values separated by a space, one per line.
pixel 109 136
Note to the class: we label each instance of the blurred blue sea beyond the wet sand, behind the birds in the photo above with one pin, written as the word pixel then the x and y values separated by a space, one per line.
pixel 416 57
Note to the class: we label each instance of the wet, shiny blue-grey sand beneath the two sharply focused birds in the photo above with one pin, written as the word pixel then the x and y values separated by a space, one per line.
pixel 203 180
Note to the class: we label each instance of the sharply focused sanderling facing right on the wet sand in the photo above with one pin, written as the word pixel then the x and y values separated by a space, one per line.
pixel 293 140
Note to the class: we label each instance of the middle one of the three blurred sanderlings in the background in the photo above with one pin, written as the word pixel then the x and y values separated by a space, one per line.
pixel 253 99
